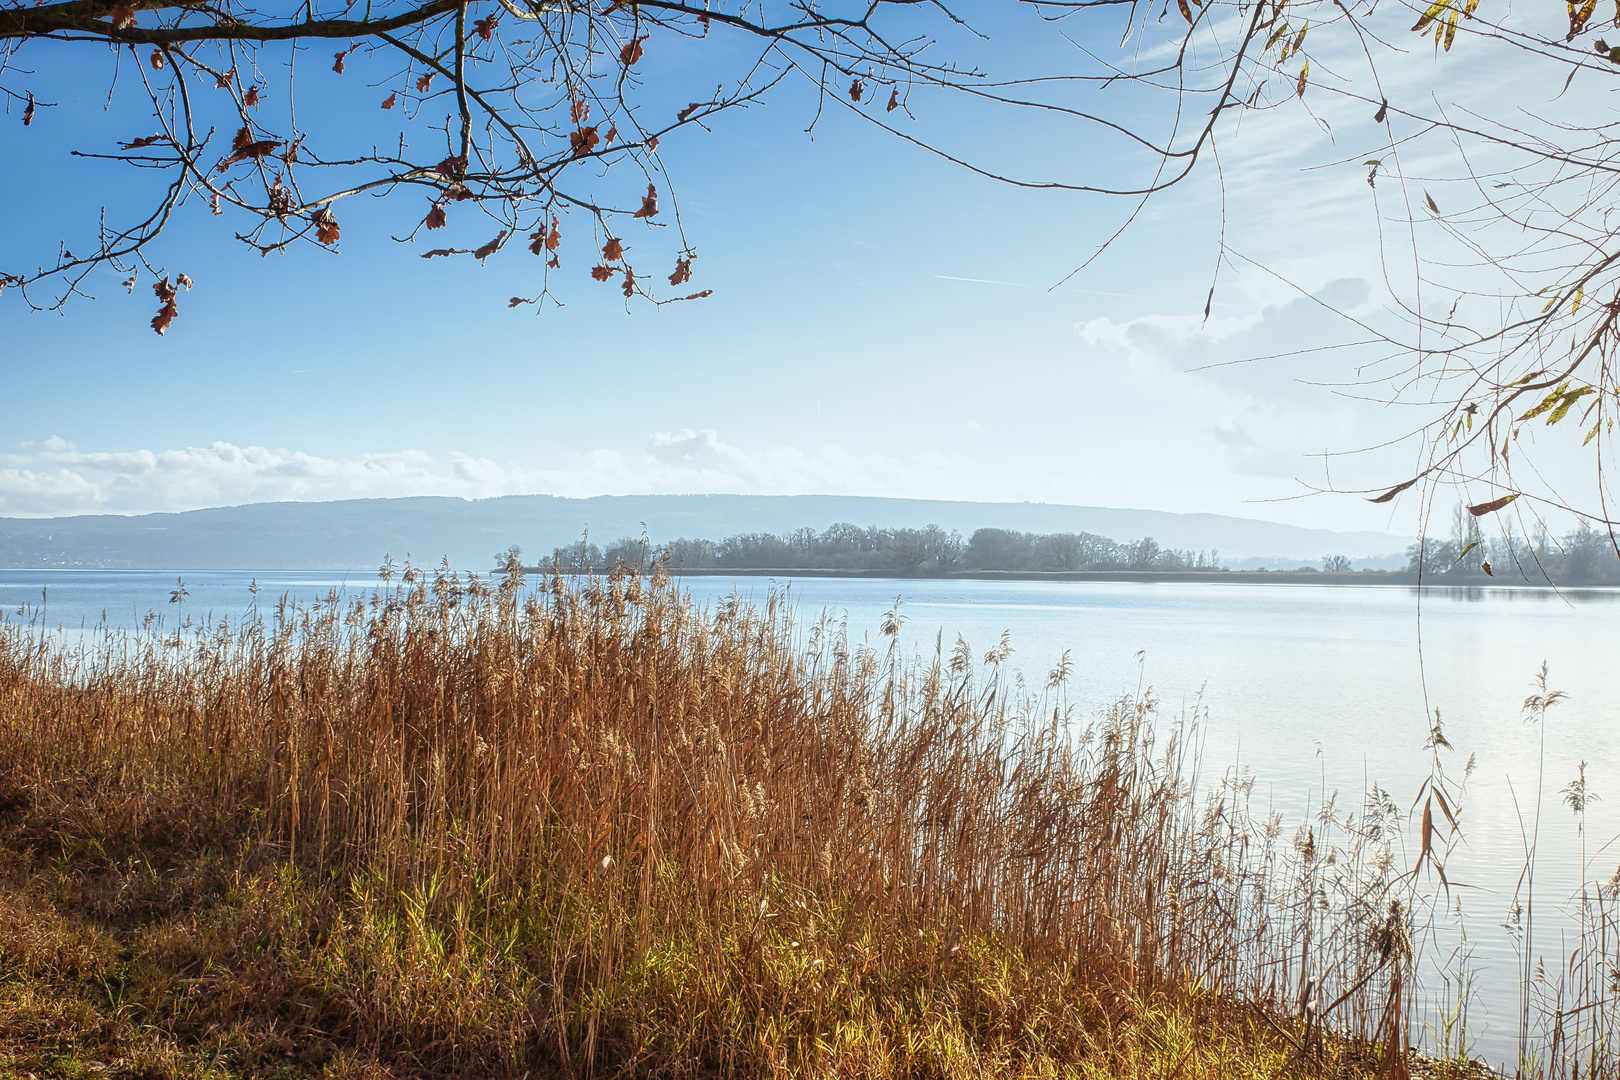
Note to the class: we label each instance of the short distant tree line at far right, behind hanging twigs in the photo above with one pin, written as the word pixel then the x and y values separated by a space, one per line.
pixel 1584 556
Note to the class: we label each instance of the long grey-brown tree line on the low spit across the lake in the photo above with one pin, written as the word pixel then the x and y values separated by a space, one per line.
pixel 924 551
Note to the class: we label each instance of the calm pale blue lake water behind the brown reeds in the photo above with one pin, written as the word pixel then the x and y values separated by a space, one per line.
pixel 1315 689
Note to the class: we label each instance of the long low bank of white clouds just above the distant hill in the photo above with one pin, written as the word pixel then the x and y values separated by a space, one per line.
pixel 58 478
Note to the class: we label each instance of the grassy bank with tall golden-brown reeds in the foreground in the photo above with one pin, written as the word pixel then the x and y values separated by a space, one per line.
pixel 587 830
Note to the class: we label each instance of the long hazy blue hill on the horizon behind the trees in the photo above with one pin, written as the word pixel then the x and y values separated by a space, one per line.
pixel 359 532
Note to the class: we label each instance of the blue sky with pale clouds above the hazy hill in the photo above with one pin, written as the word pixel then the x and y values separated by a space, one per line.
pixel 882 323
